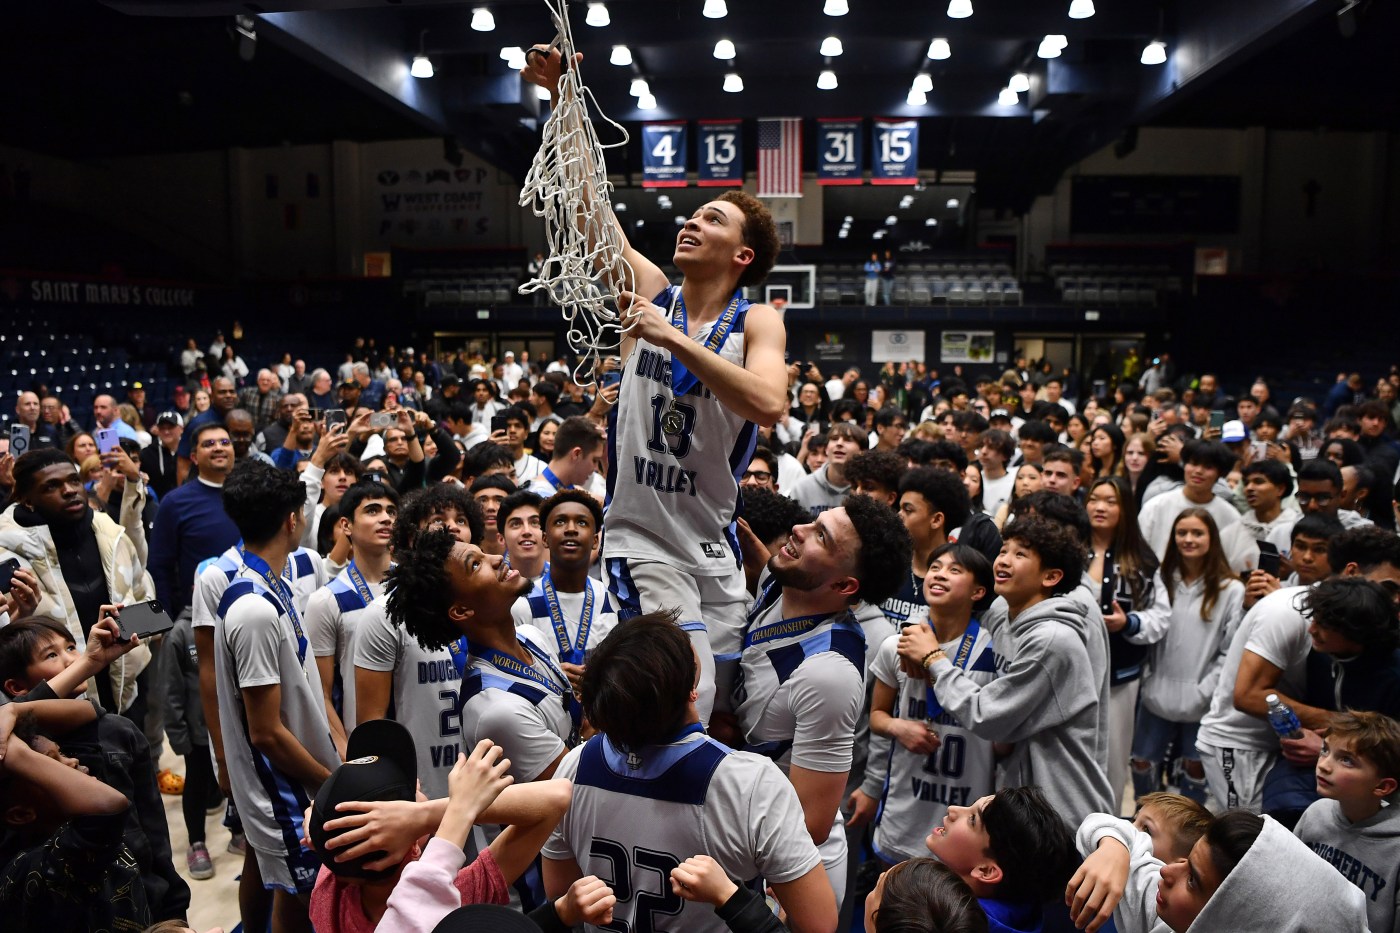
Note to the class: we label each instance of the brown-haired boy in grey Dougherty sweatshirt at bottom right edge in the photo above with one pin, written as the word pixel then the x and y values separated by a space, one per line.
pixel 1354 826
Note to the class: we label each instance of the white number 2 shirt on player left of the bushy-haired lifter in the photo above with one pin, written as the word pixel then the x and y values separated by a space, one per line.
pixel 425 696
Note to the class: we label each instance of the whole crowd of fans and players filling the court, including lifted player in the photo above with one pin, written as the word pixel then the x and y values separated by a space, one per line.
pixel 713 645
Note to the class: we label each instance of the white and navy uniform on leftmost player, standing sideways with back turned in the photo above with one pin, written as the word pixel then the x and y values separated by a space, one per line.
pixel 255 645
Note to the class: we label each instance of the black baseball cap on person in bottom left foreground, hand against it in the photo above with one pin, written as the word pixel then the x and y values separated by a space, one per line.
pixel 381 764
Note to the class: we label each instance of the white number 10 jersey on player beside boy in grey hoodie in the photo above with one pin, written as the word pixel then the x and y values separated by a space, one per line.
pixel 920 788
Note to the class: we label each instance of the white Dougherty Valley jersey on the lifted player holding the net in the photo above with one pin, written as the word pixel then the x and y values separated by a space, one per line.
pixel 675 463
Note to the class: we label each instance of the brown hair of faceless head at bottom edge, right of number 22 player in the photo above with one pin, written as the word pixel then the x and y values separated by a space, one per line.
pixel 925 896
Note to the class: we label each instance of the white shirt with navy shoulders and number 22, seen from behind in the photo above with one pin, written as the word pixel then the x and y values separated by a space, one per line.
pixel 635 819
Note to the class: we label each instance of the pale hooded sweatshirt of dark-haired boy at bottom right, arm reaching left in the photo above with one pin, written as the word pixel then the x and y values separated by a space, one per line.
pixel 1279 887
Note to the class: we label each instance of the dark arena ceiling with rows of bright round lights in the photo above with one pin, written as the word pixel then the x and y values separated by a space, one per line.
pixel 92 81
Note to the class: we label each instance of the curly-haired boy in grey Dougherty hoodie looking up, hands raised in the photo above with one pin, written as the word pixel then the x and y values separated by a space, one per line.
pixel 1052 683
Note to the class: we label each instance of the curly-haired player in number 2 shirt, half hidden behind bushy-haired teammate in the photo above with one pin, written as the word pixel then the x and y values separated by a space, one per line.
pixel 393 672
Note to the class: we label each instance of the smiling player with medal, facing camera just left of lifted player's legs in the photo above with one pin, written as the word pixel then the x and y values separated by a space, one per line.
pixel 566 604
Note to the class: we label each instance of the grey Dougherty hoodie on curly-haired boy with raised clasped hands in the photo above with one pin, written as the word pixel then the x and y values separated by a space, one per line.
pixel 1051 698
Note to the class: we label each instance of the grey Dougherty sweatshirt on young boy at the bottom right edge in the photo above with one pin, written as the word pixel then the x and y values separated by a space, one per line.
pixel 1366 852
